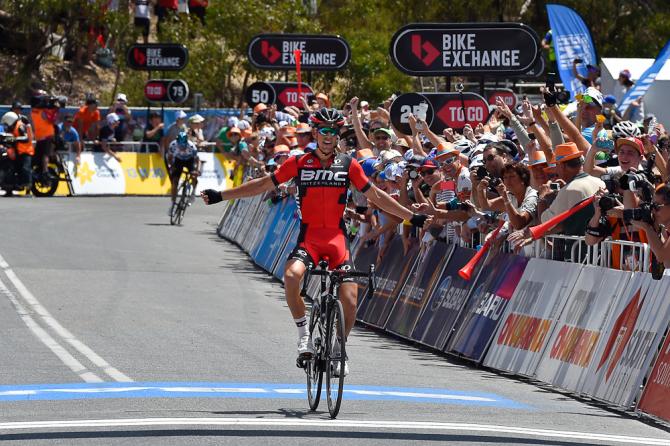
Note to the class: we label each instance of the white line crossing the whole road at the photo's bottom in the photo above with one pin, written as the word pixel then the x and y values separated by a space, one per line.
pixel 335 424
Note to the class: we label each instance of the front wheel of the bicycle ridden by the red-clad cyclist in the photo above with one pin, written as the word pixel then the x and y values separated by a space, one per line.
pixel 335 333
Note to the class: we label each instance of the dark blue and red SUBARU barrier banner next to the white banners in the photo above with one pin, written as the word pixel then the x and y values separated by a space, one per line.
pixel 494 288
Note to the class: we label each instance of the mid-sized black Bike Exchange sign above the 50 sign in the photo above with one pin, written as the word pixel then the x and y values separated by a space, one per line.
pixel 319 53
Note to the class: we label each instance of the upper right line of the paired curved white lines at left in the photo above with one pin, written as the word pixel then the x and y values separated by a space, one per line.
pixel 65 334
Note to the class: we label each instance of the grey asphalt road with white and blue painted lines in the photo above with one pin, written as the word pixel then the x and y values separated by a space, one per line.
pixel 117 328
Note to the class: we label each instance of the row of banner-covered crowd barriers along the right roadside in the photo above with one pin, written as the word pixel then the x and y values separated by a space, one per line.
pixel 593 331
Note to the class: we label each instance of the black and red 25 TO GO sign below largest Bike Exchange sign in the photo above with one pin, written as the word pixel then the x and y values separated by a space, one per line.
pixel 444 110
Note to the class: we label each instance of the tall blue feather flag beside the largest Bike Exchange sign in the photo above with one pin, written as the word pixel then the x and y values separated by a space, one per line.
pixel 572 40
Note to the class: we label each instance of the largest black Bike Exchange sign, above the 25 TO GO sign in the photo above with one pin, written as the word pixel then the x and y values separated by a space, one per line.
pixel 442 49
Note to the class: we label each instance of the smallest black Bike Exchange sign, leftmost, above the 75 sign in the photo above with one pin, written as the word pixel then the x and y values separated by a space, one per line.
pixel 157 57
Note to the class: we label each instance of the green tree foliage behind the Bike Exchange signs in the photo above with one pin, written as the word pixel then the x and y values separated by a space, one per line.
pixel 218 65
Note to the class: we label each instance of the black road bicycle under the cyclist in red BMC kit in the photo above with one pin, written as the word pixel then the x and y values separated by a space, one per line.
pixel 326 328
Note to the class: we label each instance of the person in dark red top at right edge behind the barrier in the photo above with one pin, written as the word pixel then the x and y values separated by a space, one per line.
pixel 654 224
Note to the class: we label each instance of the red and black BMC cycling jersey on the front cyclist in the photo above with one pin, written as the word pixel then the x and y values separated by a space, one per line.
pixel 322 190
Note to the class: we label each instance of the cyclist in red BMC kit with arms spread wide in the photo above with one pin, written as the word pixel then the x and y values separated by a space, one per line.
pixel 322 178
